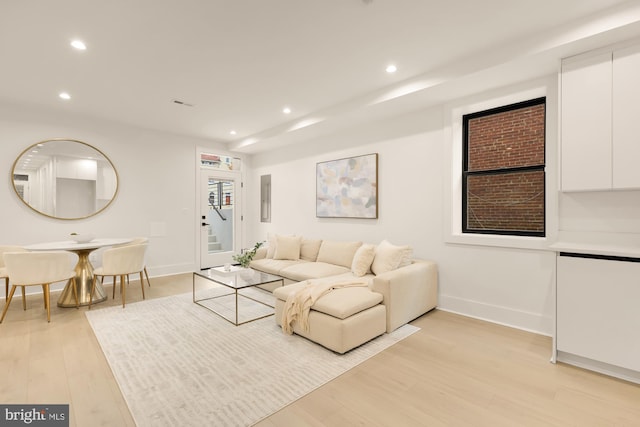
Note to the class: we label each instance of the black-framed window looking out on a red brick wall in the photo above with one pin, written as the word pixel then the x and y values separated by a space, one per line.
pixel 503 175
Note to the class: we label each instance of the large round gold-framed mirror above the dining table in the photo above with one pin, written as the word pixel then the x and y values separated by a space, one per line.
pixel 64 179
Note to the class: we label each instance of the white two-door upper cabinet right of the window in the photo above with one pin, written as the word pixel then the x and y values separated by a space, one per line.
pixel 600 121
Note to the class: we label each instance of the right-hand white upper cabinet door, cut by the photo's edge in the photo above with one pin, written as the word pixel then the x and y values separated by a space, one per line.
pixel 626 118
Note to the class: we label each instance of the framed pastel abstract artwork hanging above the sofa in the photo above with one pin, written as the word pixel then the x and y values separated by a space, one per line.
pixel 347 188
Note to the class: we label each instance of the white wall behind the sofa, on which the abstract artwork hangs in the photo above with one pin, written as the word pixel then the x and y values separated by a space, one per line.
pixel 509 286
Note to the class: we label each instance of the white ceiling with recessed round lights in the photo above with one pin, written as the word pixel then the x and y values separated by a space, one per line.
pixel 238 63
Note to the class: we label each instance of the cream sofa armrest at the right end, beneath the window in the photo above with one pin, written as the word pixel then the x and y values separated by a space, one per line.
pixel 408 292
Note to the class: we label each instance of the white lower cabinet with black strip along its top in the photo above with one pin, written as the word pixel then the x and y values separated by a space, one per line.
pixel 598 313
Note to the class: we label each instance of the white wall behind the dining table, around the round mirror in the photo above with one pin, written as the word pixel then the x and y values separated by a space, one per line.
pixel 157 187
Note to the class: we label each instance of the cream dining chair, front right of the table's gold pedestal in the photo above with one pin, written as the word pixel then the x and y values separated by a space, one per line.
pixel 120 262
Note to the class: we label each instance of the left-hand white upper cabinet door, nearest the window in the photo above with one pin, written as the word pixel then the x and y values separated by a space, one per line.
pixel 586 123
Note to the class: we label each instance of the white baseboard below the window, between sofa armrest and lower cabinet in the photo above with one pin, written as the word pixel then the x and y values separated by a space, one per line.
pixel 505 316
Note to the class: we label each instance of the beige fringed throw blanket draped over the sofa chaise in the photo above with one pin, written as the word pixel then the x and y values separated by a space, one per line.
pixel 299 303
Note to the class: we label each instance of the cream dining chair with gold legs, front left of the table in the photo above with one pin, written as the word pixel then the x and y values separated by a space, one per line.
pixel 41 269
